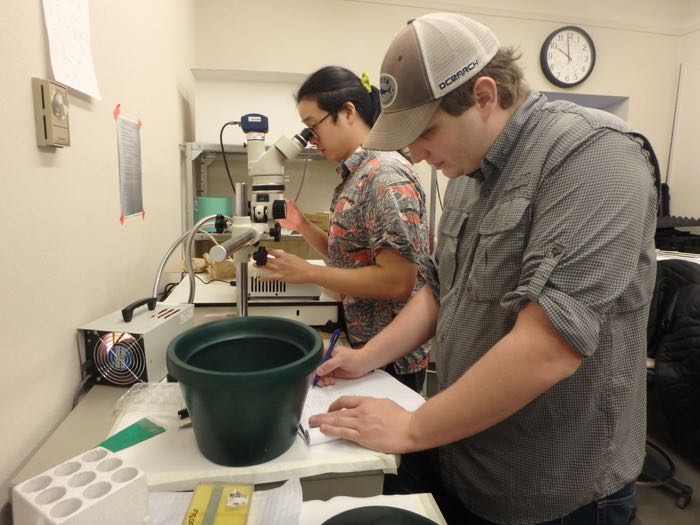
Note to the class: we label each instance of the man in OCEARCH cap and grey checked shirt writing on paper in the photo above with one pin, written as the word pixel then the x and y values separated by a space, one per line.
pixel 538 294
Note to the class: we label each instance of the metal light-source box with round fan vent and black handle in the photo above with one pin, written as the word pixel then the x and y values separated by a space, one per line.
pixel 122 353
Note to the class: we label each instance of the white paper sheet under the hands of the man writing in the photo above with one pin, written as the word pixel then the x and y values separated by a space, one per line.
pixel 375 384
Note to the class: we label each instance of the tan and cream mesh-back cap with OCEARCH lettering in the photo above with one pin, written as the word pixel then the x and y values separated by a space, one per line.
pixel 430 57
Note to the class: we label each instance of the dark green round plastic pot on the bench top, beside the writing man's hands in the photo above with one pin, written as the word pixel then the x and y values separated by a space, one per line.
pixel 245 381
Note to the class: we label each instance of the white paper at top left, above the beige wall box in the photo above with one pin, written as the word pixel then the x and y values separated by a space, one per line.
pixel 68 30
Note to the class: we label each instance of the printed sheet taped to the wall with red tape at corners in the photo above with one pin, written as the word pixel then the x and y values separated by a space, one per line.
pixel 130 177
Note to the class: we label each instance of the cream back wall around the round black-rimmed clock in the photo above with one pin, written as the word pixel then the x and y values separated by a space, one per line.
pixel 637 43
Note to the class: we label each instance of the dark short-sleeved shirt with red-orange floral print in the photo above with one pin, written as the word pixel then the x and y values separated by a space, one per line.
pixel 379 204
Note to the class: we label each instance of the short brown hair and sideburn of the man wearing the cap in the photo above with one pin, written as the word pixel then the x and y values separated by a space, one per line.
pixel 509 81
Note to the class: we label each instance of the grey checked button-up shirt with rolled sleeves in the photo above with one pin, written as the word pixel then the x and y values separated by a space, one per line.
pixel 562 213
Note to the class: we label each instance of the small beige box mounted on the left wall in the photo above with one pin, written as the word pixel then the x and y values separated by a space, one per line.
pixel 51 113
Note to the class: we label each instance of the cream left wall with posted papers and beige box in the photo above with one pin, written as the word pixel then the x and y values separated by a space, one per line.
pixel 66 258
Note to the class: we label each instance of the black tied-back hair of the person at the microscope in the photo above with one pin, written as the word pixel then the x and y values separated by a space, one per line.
pixel 333 86
